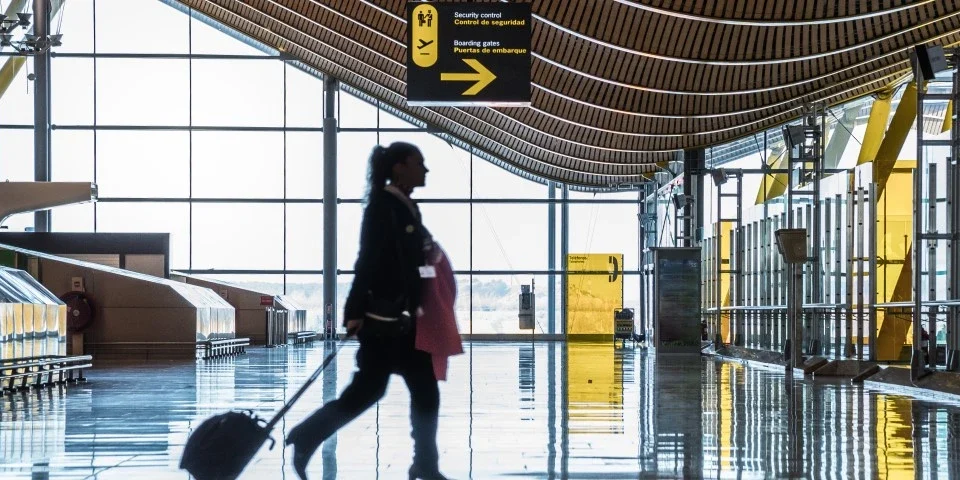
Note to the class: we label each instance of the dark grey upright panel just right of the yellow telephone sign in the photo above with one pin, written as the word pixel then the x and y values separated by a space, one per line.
pixel 676 290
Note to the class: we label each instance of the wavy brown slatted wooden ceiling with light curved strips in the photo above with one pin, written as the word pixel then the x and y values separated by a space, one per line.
pixel 619 85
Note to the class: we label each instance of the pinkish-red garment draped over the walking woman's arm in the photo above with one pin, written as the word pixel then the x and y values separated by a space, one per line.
pixel 437 332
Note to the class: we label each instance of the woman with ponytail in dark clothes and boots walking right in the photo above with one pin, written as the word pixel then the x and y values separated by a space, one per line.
pixel 381 310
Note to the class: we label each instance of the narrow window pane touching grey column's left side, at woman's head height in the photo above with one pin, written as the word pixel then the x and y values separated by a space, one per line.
pixel 304 164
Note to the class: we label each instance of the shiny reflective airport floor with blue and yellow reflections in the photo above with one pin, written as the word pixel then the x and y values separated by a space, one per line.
pixel 510 410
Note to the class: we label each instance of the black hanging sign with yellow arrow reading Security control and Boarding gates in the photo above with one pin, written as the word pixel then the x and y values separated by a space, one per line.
pixel 462 54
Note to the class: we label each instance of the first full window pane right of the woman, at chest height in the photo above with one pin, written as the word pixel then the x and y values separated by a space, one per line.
pixel 509 237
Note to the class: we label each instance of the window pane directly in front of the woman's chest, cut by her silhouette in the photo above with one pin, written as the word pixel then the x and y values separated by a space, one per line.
pixel 450 226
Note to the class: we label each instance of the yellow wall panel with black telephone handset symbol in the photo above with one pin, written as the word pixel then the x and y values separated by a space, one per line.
pixel 594 291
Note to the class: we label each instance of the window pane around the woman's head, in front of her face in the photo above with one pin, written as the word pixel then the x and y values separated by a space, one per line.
pixel 449 165
